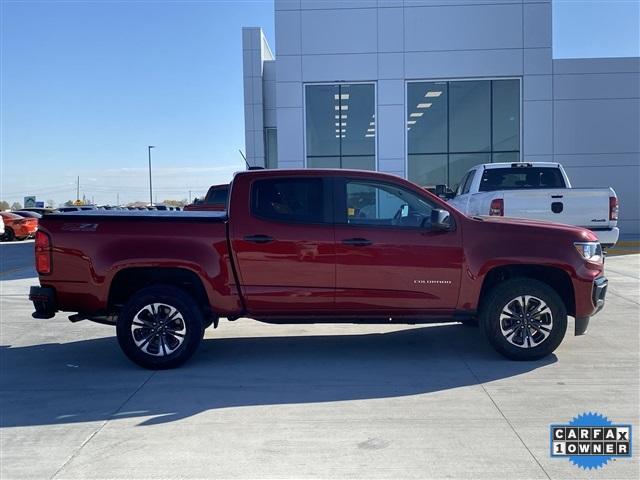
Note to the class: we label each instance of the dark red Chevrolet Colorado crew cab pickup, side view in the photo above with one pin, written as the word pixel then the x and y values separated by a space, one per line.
pixel 311 246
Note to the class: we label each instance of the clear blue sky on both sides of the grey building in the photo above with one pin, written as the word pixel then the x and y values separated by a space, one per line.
pixel 87 85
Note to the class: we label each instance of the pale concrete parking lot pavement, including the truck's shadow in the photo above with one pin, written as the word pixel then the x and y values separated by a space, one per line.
pixel 332 401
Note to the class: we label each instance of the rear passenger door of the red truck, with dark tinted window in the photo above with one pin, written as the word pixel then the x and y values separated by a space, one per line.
pixel 283 244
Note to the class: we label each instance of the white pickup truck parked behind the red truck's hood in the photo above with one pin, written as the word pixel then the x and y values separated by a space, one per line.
pixel 540 191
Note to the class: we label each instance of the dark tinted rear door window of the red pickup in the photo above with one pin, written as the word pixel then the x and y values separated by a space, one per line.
pixel 300 200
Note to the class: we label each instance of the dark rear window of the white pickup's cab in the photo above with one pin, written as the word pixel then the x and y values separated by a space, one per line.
pixel 518 178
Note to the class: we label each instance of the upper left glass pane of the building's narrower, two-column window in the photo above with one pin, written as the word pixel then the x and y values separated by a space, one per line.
pixel 320 103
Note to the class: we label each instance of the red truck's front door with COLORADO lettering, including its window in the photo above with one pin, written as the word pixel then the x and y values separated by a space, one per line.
pixel 388 260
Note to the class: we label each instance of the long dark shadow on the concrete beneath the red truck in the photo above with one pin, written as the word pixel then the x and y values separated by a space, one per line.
pixel 91 380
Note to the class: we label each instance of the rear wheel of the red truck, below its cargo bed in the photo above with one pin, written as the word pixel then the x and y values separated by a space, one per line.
pixel 159 334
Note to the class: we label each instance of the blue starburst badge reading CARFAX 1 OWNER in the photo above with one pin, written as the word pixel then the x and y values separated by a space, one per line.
pixel 590 440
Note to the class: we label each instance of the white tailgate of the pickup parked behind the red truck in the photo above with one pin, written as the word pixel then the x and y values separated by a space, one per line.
pixel 582 207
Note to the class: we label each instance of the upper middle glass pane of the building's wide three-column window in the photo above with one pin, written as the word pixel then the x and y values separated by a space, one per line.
pixel 470 116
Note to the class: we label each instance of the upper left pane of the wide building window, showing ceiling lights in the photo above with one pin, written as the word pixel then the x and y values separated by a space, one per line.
pixel 427 102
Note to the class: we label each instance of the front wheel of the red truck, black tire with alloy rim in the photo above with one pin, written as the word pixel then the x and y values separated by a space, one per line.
pixel 549 327
